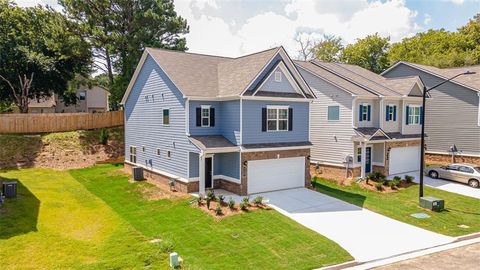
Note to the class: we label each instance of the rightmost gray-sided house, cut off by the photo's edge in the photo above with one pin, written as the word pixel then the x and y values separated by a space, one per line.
pixel 453 112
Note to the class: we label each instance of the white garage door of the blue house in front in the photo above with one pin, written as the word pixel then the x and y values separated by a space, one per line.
pixel 274 174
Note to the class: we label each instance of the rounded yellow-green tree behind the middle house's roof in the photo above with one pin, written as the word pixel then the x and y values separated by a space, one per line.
pixel 369 52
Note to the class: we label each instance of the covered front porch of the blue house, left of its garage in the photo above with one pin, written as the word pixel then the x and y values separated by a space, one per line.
pixel 216 165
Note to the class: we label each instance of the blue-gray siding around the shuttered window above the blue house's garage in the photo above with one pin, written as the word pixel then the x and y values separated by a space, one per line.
pixel 252 123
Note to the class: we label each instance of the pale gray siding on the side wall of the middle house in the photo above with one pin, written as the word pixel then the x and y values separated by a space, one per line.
pixel 332 140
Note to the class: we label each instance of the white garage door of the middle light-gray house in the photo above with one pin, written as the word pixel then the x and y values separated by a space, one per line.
pixel 404 159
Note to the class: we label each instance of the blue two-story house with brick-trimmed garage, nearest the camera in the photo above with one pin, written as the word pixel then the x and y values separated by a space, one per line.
pixel 200 121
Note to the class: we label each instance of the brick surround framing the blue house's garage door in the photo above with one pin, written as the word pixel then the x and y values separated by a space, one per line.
pixel 247 156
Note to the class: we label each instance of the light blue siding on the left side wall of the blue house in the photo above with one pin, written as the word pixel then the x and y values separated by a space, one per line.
pixel 144 122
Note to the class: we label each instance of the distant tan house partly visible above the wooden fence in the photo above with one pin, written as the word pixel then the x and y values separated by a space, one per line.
pixel 88 100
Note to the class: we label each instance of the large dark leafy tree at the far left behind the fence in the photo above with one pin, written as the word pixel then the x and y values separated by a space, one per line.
pixel 39 53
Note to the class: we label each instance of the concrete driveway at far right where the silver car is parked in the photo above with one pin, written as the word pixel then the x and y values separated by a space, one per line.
pixel 446 185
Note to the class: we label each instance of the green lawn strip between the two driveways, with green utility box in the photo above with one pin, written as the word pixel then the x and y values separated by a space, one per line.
pixel 460 210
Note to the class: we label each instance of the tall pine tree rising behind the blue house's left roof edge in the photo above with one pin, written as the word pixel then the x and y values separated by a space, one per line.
pixel 119 31
